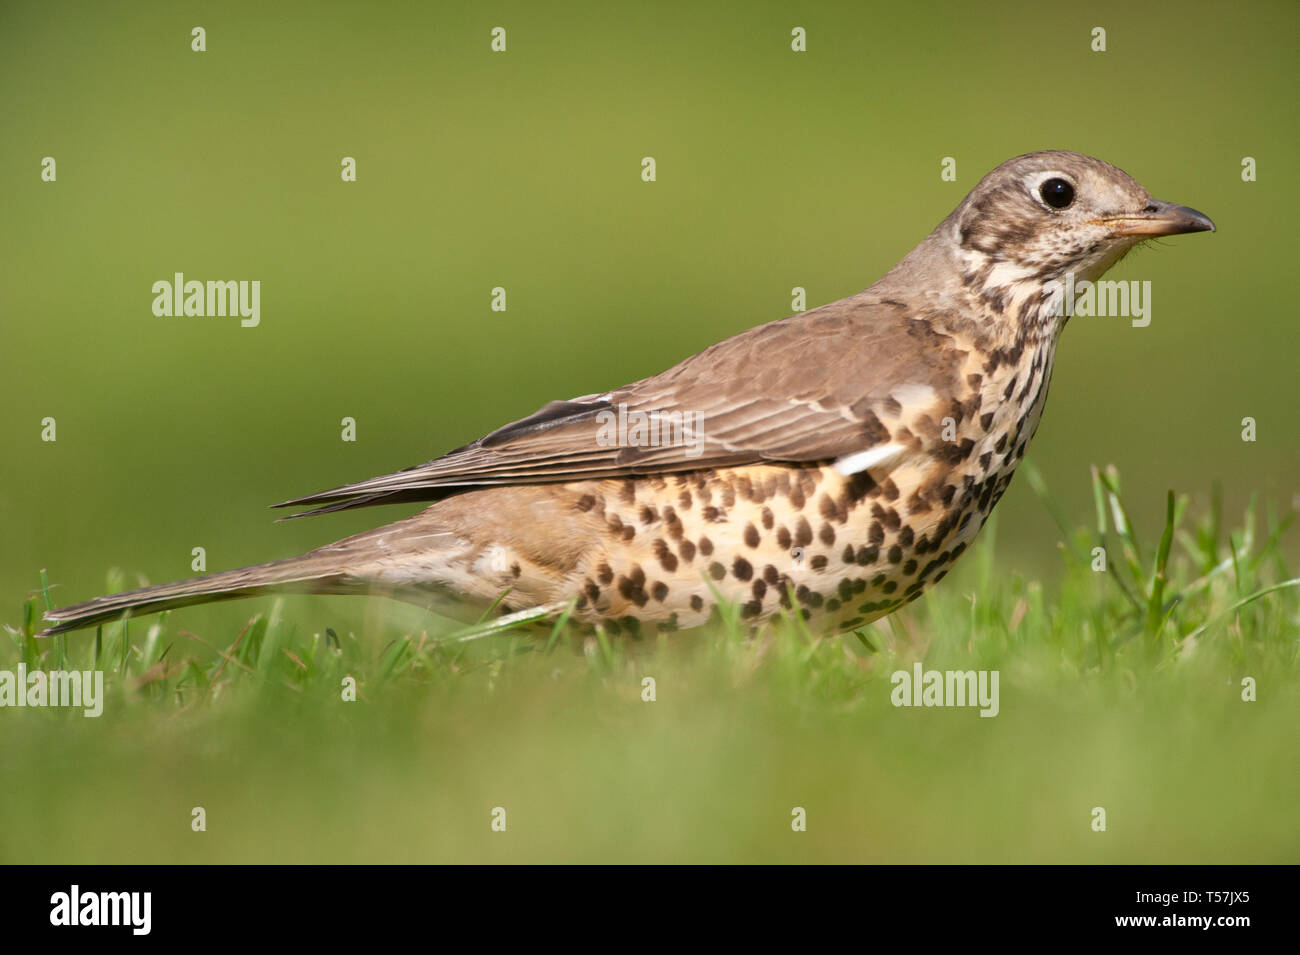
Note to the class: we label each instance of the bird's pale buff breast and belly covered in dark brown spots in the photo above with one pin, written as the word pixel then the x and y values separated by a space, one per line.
pixel 660 553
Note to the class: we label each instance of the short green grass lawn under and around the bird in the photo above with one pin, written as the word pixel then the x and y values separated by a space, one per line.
pixel 1121 689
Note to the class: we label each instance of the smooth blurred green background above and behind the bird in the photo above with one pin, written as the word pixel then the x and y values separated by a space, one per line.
pixel 522 170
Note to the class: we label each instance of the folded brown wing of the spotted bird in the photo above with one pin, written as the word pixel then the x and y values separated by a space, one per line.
pixel 805 389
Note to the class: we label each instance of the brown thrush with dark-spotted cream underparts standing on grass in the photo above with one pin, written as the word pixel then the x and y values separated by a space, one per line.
pixel 833 465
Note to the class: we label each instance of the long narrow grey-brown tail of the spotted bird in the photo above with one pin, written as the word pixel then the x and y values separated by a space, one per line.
pixel 317 572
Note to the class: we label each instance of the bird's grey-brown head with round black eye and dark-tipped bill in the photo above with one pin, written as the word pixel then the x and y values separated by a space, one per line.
pixel 1046 215
